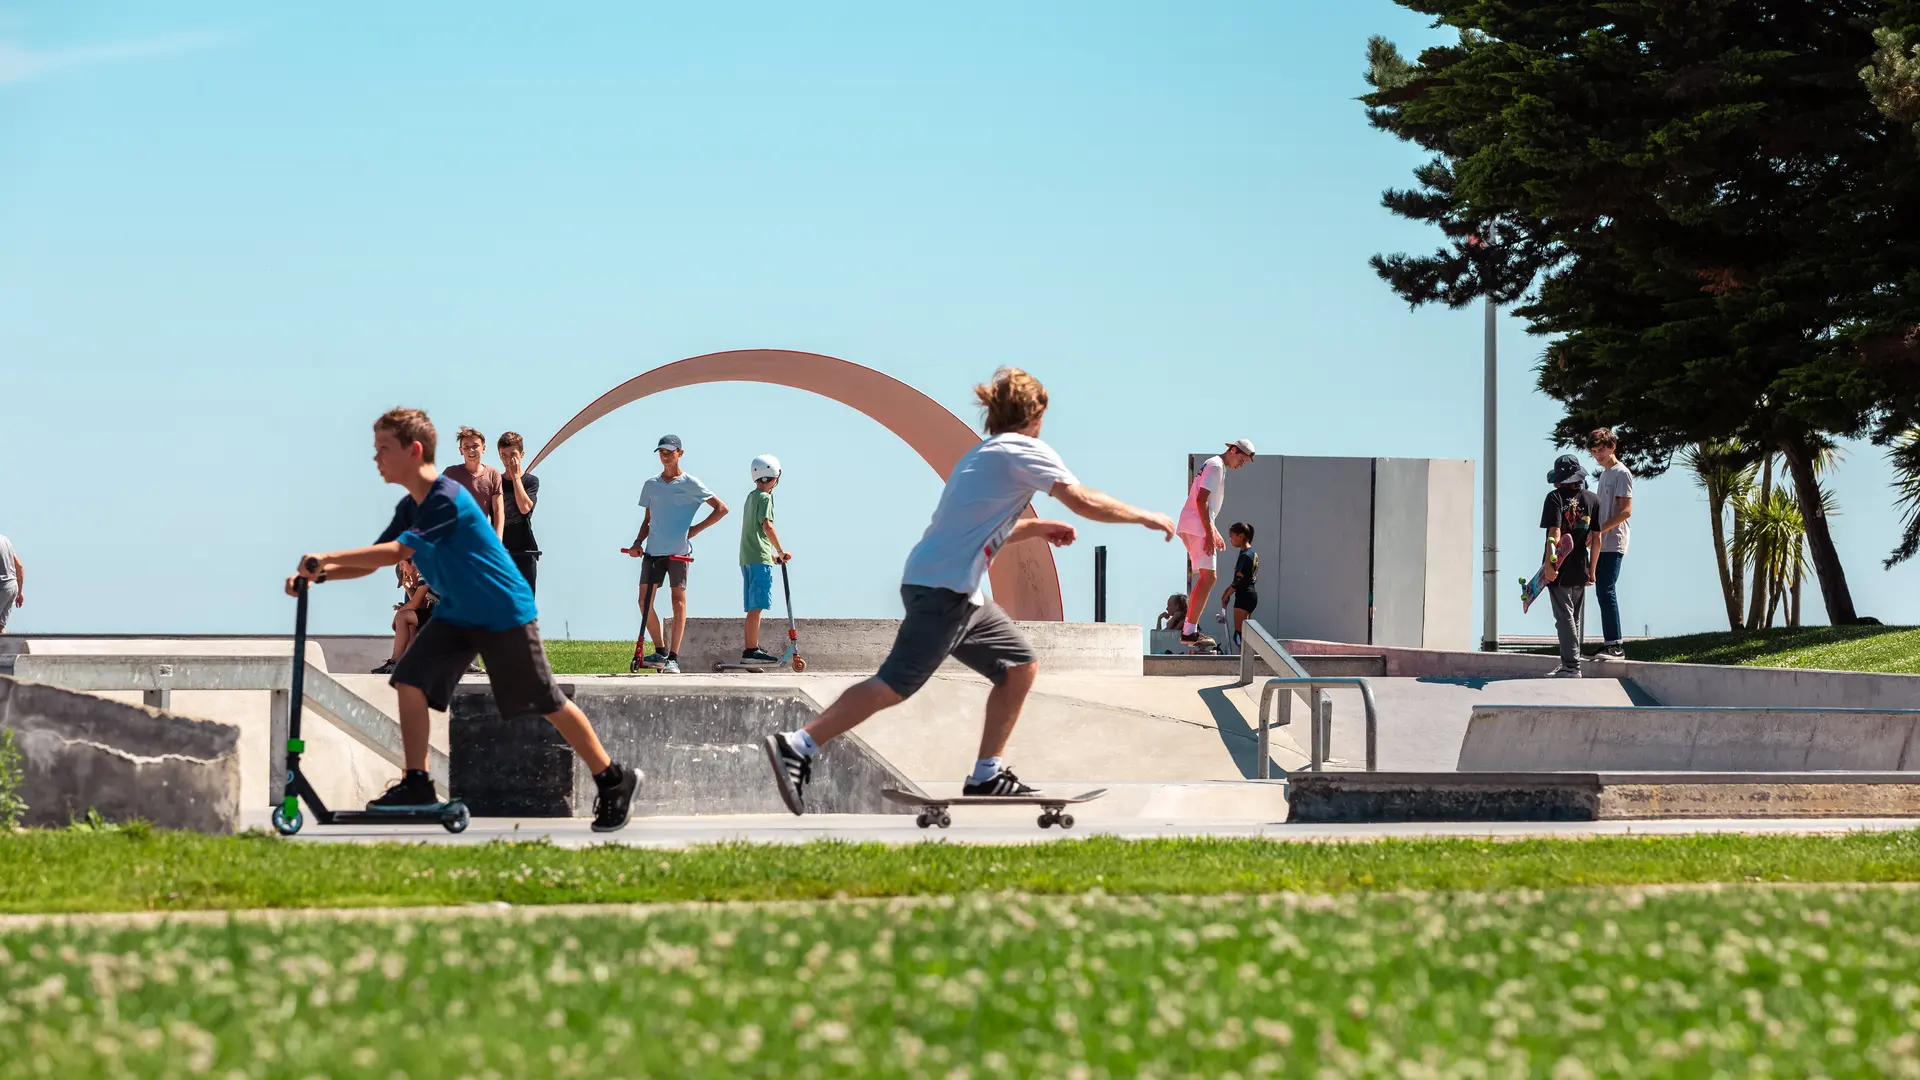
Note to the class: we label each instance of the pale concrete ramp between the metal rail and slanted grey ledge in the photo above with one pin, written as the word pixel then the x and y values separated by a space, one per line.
pixel 1424 722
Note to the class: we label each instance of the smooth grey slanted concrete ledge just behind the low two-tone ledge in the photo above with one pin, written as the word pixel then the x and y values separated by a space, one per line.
pixel 1537 739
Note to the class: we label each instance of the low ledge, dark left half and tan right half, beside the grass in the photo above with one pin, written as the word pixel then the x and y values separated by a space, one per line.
pixel 1320 798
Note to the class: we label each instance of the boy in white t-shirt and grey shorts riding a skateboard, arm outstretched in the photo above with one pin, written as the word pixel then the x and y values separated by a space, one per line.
pixel 948 614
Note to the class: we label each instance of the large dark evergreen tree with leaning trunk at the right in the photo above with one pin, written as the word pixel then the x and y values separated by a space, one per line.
pixel 1698 205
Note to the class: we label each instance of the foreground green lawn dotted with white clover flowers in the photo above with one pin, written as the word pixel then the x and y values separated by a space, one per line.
pixel 1610 983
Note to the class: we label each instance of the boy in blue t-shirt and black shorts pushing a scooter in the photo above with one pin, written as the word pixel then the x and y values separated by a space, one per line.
pixel 485 610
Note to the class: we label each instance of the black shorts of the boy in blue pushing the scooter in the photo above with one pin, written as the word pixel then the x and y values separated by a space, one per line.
pixel 516 666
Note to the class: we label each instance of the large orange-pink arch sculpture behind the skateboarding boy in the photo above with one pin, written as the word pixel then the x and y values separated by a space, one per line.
pixel 1024 577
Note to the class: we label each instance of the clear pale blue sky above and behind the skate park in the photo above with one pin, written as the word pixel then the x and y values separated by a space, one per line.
pixel 229 237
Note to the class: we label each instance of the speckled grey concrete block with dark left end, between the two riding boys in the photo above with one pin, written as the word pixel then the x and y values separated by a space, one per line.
pixel 700 749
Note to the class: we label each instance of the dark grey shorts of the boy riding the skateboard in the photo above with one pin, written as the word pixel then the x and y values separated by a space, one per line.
pixel 942 624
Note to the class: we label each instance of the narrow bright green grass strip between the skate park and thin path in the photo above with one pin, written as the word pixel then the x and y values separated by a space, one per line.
pixel 160 871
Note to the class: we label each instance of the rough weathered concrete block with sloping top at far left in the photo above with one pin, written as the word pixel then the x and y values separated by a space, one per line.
pixel 124 762
